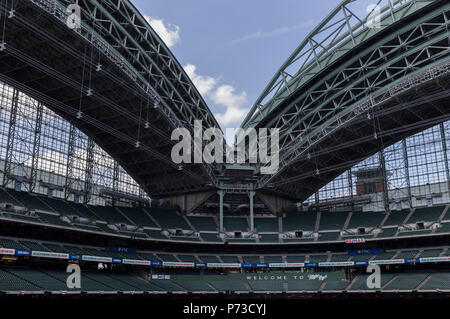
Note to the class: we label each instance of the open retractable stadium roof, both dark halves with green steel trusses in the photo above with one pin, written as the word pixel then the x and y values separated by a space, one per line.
pixel 349 90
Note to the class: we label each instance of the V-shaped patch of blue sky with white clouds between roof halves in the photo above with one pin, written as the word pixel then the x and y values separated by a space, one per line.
pixel 232 48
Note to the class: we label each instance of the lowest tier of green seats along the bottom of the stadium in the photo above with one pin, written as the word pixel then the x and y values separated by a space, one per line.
pixel 16 279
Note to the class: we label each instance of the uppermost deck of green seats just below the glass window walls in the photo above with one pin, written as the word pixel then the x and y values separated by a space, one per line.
pixel 151 221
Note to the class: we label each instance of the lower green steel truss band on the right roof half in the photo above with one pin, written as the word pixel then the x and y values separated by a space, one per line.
pixel 366 81
